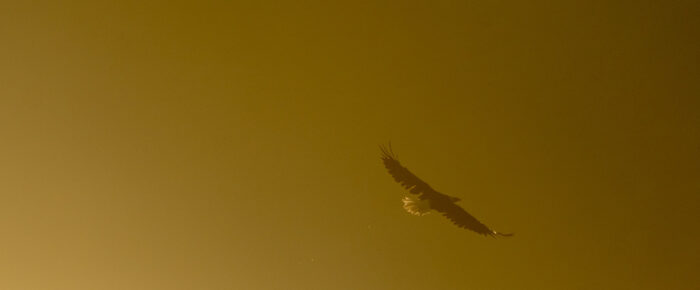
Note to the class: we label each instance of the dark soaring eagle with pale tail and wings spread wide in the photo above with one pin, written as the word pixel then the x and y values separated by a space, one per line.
pixel 429 199
